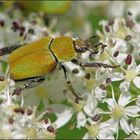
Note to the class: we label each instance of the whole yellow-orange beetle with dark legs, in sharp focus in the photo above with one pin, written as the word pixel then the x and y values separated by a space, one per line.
pixel 30 63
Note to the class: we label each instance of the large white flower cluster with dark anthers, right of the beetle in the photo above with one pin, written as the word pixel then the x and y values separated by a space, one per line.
pixel 113 105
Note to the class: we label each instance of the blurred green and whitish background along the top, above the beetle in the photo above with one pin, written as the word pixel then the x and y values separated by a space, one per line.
pixel 79 17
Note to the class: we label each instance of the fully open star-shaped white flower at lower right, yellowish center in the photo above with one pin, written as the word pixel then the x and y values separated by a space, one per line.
pixel 121 111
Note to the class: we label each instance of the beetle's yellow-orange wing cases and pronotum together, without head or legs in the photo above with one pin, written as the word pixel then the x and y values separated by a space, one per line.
pixel 36 59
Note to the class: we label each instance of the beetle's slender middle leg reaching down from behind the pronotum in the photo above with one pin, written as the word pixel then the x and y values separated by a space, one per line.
pixel 69 83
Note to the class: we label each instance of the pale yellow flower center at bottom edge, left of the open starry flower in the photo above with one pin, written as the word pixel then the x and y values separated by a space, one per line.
pixel 93 130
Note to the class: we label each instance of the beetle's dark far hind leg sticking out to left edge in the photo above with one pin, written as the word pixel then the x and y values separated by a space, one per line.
pixel 8 50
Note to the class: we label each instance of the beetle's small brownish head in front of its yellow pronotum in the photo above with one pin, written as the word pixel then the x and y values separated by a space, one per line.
pixel 81 46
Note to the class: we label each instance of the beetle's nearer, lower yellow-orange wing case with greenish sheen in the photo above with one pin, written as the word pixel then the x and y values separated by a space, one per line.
pixel 34 64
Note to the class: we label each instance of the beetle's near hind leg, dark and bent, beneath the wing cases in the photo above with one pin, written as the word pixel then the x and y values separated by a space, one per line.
pixel 30 83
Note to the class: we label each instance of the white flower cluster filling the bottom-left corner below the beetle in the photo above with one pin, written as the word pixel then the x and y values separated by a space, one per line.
pixel 18 122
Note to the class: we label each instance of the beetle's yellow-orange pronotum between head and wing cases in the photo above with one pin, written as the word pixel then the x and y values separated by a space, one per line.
pixel 63 48
